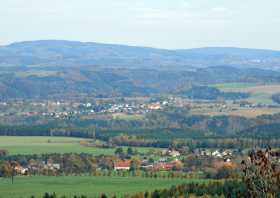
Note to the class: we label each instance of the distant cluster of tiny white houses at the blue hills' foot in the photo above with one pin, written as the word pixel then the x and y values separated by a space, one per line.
pixel 85 108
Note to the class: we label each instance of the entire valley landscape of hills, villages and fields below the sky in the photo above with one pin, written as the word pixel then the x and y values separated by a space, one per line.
pixel 96 128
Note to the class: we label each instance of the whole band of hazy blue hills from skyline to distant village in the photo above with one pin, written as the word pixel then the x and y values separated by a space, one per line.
pixel 59 69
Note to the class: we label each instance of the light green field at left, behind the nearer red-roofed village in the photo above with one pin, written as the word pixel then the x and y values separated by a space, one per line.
pixel 40 145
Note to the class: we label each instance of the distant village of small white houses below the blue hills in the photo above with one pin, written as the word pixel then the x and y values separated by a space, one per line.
pixel 70 109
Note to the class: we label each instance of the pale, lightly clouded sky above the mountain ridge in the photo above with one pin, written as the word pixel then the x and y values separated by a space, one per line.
pixel 171 24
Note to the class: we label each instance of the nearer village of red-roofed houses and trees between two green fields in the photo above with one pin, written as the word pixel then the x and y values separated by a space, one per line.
pixel 167 160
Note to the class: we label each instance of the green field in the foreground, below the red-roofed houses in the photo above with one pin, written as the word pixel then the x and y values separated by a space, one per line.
pixel 82 185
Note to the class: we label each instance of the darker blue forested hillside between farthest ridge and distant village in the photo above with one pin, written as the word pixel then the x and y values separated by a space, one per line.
pixel 56 82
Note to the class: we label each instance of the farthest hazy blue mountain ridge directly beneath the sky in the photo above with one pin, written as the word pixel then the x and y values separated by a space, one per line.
pixel 60 53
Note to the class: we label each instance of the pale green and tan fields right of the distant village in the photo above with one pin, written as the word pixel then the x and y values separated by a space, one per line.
pixel 259 94
